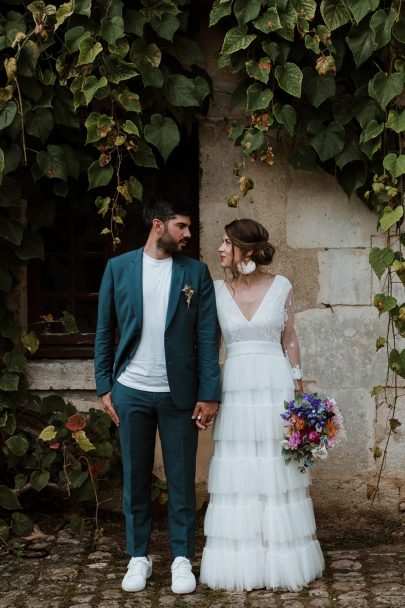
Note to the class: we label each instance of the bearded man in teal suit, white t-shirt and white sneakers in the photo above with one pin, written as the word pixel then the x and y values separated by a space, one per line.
pixel 163 374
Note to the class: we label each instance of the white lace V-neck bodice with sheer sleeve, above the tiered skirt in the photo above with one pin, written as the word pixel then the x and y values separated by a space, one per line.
pixel 273 320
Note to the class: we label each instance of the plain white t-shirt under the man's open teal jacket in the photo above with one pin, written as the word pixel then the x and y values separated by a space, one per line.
pixel 146 371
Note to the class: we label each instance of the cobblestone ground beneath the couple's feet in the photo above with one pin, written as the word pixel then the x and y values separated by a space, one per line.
pixel 365 568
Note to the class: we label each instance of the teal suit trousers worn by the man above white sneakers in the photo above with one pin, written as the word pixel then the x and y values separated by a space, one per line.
pixel 141 413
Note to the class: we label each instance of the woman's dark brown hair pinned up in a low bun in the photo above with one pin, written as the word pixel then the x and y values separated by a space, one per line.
pixel 249 235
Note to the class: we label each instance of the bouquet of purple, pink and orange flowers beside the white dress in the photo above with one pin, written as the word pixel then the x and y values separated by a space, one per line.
pixel 313 425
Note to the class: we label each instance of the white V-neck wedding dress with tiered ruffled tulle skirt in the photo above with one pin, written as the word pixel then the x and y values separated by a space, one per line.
pixel 259 524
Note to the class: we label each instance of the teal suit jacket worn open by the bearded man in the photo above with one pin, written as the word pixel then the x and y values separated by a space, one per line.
pixel 191 342
